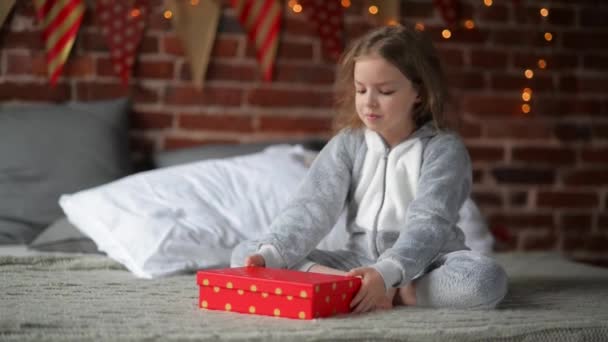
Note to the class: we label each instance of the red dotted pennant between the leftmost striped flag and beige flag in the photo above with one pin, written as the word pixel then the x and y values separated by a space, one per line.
pixel 122 25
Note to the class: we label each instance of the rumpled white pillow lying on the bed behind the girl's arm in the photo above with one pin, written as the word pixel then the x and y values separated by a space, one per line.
pixel 190 216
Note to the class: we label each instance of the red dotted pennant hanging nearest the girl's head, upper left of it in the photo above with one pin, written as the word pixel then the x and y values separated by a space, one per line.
pixel 327 17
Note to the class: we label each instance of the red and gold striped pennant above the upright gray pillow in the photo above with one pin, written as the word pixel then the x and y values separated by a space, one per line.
pixel 60 21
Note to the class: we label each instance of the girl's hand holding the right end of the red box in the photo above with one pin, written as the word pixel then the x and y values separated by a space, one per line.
pixel 372 293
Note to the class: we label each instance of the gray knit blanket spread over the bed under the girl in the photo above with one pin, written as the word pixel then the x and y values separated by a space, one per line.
pixel 87 297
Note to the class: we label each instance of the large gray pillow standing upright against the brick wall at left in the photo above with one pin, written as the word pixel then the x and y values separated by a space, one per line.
pixel 48 150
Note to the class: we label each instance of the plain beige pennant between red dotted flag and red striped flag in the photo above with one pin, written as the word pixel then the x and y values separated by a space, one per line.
pixel 196 26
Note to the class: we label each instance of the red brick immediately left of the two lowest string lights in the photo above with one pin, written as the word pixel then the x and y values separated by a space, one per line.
pixel 491 105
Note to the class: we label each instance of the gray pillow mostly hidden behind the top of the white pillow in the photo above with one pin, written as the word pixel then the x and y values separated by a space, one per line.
pixel 215 151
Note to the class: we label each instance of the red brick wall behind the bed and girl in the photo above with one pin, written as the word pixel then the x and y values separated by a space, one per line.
pixel 540 178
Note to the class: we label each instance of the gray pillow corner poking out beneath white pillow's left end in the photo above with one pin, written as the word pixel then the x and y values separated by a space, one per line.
pixel 63 236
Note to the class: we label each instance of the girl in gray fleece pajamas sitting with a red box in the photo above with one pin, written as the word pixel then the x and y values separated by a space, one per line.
pixel 403 179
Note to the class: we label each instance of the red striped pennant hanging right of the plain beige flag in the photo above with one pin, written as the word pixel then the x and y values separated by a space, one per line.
pixel 262 20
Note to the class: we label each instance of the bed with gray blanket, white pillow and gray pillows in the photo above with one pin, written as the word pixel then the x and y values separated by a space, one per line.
pixel 113 270
